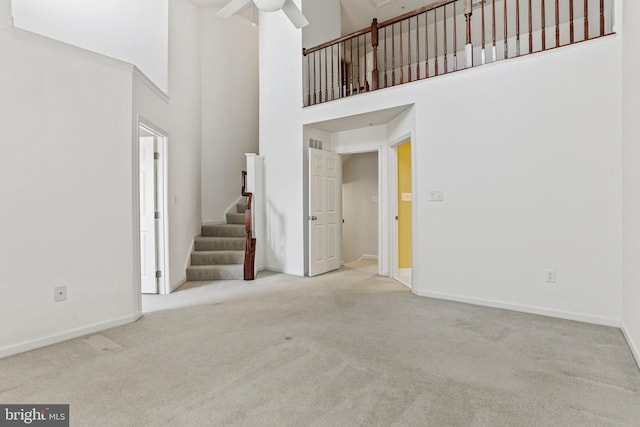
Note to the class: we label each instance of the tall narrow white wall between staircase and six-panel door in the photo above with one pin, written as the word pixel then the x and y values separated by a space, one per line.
pixel 281 141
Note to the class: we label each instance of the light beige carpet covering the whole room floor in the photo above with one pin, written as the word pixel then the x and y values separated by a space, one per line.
pixel 344 349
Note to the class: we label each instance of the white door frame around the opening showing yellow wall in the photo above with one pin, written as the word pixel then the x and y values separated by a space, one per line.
pixel 393 204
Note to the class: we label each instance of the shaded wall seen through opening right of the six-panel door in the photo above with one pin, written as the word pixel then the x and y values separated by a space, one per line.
pixel 359 208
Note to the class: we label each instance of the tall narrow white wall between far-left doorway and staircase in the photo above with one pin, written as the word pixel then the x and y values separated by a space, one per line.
pixel 184 126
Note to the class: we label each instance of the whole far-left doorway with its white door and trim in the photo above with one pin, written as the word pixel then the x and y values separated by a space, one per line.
pixel 152 209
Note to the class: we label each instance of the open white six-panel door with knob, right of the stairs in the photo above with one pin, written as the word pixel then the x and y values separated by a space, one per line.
pixel 325 184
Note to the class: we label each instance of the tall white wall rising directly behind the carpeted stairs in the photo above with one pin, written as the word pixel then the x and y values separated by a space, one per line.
pixel 229 108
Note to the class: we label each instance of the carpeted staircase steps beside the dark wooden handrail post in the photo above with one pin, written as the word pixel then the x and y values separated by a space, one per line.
pixel 219 251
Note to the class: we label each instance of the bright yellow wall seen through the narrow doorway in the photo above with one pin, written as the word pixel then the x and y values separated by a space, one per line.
pixel 404 207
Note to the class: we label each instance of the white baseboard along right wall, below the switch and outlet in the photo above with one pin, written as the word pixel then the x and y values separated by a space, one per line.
pixel 568 315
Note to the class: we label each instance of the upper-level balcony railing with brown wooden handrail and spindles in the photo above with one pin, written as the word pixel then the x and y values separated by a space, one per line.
pixel 444 37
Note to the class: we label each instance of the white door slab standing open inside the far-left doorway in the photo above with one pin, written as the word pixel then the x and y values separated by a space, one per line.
pixel 147 215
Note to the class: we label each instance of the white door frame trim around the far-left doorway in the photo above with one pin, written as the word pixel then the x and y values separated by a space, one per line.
pixel 162 224
